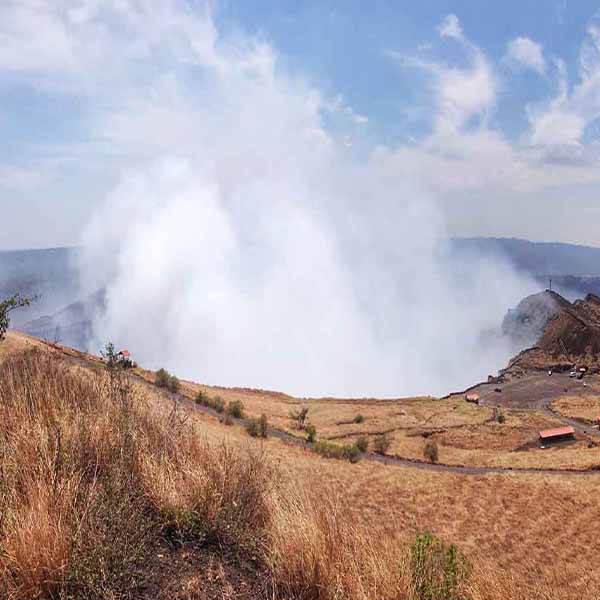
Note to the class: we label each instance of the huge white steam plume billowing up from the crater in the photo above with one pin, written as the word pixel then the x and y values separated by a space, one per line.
pixel 244 245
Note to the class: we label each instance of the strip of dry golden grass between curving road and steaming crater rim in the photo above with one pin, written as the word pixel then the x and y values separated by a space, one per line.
pixel 466 433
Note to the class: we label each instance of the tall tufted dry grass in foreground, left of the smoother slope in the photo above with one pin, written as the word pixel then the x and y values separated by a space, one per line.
pixel 94 475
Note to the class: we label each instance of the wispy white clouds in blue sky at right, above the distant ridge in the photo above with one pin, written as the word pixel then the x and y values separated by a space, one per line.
pixel 483 180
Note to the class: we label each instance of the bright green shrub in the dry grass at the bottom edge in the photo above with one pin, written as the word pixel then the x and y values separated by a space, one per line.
pixel 438 572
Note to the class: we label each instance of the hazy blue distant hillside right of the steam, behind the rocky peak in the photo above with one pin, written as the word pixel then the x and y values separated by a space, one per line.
pixel 536 258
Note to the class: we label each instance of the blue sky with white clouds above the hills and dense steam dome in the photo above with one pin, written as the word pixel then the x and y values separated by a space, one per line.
pixel 490 109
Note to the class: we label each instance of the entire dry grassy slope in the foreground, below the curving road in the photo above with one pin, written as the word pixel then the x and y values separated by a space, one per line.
pixel 107 492
